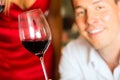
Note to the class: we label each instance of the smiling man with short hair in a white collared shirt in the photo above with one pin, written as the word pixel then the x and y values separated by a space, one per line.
pixel 95 55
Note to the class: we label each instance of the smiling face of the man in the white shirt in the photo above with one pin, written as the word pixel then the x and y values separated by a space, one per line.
pixel 98 21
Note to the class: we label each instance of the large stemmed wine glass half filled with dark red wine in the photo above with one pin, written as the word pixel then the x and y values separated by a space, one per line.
pixel 35 34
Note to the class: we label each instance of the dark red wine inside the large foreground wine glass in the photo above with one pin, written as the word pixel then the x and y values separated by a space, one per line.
pixel 36 47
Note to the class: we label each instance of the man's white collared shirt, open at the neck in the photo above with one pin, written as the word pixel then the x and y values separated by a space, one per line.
pixel 80 61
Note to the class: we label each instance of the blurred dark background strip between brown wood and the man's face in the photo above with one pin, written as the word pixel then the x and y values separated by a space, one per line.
pixel 70 30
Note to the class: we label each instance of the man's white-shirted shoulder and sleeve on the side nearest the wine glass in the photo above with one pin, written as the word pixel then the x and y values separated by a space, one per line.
pixel 74 59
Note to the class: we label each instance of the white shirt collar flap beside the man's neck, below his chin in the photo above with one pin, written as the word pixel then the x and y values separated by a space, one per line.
pixel 95 60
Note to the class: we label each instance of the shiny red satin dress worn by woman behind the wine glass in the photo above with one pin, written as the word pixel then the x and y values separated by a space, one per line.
pixel 16 63
